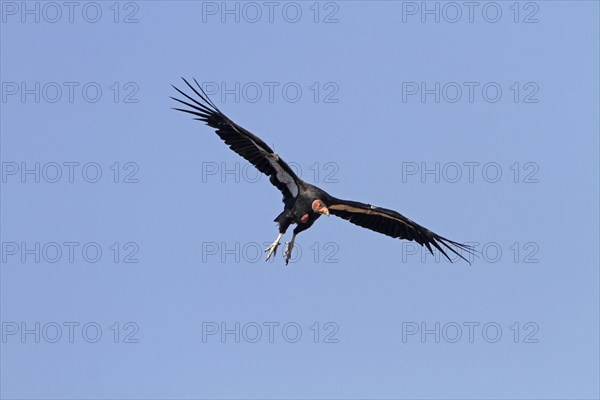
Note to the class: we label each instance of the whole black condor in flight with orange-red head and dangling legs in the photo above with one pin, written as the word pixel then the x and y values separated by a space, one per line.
pixel 303 202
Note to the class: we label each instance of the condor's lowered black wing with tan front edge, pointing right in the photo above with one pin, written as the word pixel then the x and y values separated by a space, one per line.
pixel 394 224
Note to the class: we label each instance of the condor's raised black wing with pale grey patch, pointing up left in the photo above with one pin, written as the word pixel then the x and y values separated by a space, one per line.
pixel 243 142
